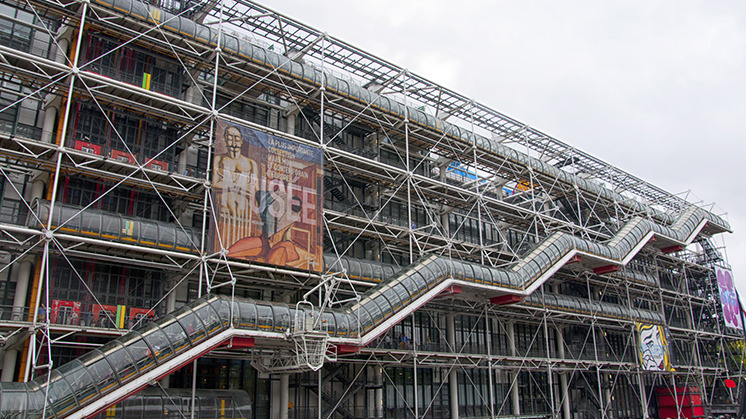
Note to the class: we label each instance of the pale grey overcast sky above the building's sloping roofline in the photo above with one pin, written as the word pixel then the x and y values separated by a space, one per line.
pixel 654 87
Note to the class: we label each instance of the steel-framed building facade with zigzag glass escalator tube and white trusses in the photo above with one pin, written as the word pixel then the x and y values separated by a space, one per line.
pixel 213 210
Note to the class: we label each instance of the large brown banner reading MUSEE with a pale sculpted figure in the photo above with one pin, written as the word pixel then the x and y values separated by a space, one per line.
pixel 267 198
